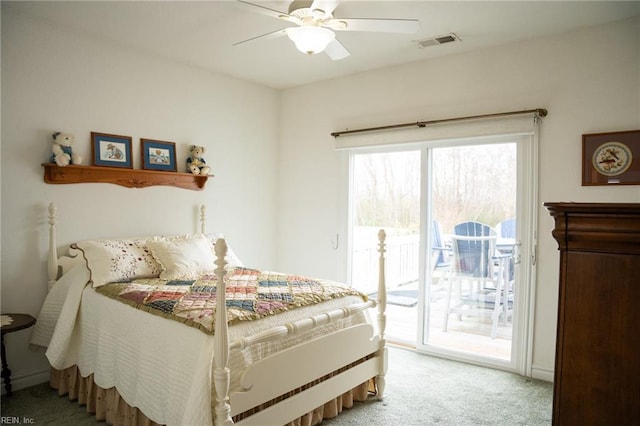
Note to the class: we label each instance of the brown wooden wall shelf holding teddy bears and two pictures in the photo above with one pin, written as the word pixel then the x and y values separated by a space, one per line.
pixel 130 178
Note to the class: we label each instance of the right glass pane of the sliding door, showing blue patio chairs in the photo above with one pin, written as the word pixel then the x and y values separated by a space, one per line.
pixel 469 281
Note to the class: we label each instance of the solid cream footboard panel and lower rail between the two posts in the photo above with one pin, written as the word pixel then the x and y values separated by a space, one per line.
pixel 318 371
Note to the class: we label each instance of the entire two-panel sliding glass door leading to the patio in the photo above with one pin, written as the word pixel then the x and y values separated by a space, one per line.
pixel 459 219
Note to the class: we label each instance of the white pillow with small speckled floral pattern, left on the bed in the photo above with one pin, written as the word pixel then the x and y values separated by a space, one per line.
pixel 117 260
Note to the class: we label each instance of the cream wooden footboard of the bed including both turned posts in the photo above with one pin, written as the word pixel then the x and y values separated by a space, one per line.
pixel 342 360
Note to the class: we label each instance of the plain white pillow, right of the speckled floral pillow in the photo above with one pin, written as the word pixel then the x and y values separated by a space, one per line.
pixel 185 257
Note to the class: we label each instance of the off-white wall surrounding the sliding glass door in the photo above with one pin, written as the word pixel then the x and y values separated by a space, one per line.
pixel 588 80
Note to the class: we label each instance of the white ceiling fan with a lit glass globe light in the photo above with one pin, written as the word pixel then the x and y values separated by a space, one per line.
pixel 316 24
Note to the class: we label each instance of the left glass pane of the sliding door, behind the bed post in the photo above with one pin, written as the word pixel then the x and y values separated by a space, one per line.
pixel 386 194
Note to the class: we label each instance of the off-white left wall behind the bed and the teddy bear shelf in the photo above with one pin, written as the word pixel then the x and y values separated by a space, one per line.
pixel 53 79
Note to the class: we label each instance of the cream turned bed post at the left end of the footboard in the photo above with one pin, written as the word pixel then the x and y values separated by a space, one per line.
pixel 221 374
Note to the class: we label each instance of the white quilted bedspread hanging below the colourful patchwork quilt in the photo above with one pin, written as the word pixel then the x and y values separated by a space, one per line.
pixel 161 366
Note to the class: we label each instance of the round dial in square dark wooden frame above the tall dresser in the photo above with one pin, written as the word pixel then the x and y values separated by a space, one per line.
pixel 611 158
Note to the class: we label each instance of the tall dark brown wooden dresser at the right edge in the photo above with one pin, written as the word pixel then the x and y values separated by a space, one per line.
pixel 597 365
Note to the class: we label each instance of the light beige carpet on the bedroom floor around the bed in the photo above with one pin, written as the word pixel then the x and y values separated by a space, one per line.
pixel 421 390
